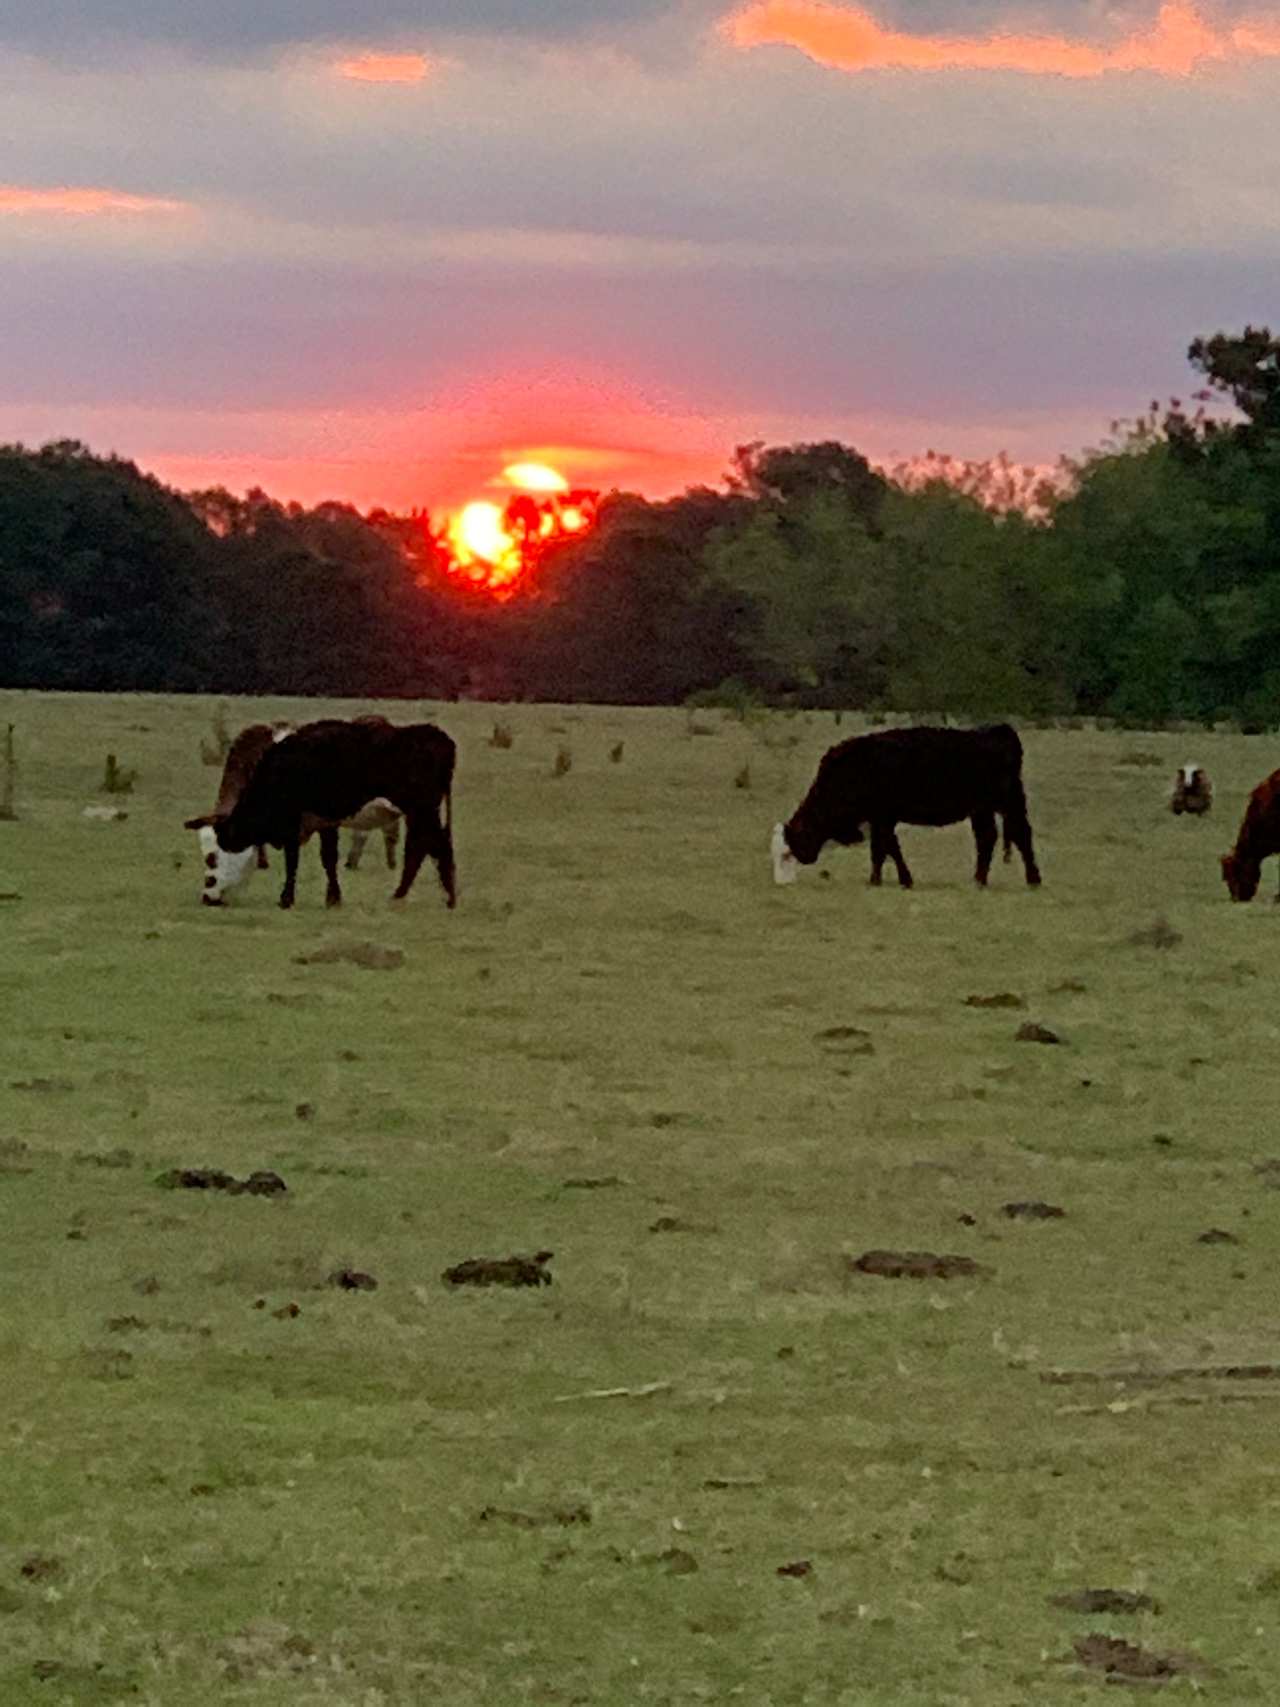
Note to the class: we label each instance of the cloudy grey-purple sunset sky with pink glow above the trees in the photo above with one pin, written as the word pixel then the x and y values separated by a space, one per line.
pixel 376 250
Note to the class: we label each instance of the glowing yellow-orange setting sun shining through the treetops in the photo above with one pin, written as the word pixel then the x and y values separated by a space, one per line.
pixel 492 545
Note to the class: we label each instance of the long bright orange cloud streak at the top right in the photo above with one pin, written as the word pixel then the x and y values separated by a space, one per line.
pixel 851 40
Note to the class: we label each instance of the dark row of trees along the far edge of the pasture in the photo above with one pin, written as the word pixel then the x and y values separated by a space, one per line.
pixel 1143 585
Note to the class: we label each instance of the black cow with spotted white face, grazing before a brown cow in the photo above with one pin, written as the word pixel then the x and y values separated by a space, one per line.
pixel 325 774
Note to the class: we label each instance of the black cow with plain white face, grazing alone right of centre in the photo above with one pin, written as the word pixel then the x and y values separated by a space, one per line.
pixel 912 778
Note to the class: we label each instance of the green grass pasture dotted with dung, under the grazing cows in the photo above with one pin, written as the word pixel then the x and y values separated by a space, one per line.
pixel 410 1496
